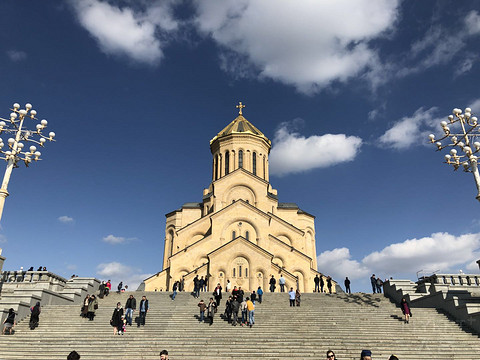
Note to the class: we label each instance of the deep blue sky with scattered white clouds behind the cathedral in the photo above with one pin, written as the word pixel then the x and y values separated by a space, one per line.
pixel 347 92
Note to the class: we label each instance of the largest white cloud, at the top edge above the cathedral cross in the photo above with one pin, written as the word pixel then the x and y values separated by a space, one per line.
pixel 299 43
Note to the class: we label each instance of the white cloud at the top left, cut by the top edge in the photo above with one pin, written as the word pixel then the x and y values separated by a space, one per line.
pixel 123 31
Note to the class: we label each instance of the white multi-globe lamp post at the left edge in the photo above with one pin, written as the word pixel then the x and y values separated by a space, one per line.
pixel 16 126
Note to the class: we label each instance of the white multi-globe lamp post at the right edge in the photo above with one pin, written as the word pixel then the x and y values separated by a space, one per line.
pixel 464 134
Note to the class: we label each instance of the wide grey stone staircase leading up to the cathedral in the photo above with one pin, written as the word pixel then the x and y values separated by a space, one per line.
pixel 344 323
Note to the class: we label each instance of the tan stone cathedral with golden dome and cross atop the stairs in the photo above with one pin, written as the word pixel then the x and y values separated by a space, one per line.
pixel 239 232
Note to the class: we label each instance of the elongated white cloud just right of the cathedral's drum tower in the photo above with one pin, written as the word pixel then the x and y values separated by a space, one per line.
pixel 292 153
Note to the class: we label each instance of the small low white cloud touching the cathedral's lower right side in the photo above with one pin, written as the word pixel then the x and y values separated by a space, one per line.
pixel 338 264
